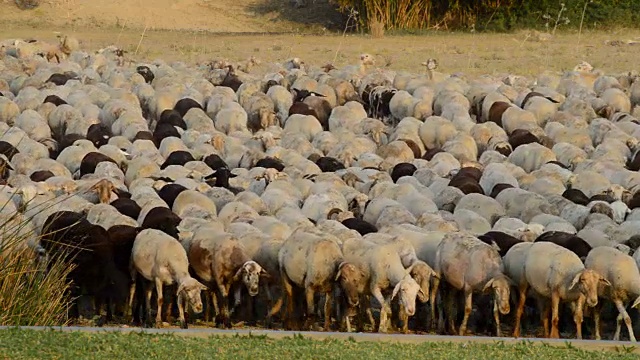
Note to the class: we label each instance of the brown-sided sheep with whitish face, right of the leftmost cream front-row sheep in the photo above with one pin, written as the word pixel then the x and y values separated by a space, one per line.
pixel 221 260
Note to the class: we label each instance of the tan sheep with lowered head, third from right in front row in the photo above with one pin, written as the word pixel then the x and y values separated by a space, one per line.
pixel 470 265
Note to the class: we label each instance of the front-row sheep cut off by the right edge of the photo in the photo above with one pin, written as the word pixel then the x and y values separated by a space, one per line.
pixel 621 271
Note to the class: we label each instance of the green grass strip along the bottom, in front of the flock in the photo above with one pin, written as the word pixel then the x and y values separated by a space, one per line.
pixel 24 344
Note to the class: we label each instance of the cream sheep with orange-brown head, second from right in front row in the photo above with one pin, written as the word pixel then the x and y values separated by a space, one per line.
pixel 556 273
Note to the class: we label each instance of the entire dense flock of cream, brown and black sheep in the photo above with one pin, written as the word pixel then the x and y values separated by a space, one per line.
pixel 360 189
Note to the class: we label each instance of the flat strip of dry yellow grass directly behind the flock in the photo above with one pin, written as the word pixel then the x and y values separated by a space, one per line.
pixel 471 54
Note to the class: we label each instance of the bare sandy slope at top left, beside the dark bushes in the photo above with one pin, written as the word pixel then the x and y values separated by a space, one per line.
pixel 209 15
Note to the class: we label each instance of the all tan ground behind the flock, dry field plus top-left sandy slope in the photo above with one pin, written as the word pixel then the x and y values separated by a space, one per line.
pixel 122 24
